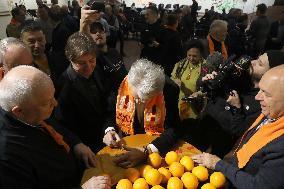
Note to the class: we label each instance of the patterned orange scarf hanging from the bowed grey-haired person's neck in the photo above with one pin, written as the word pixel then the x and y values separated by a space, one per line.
pixel 154 112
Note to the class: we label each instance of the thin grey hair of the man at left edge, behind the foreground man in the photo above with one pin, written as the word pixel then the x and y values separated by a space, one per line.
pixel 5 44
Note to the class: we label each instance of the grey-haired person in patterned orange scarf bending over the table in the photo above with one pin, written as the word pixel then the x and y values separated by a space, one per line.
pixel 147 102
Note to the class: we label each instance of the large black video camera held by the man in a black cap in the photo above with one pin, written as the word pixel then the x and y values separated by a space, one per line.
pixel 228 71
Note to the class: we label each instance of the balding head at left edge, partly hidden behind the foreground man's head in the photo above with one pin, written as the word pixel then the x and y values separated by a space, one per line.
pixel 13 53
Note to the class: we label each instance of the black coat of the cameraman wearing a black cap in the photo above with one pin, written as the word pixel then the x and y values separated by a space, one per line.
pixel 221 124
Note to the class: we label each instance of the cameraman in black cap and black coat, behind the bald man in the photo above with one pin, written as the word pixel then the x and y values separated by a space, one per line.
pixel 228 114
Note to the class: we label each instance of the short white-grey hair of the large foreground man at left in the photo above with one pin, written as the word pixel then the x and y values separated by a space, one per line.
pixel 21 90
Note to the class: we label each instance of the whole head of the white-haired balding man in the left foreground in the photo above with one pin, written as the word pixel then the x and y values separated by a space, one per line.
pixel 28 94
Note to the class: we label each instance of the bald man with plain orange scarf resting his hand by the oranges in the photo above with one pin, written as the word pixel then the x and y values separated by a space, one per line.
pixel 258 161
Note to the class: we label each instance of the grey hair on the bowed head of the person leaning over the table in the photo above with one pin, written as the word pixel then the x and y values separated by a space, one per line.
pixel 146 77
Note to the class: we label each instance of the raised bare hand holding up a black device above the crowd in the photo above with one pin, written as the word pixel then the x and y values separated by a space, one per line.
pixel 88 16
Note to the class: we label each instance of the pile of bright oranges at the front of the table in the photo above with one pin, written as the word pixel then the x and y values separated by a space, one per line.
pixel 176 174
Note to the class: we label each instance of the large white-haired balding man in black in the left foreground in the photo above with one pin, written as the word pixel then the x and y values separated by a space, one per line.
pixel 36 152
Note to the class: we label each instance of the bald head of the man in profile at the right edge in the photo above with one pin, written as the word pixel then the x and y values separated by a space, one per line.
pixel 271 94
